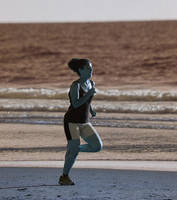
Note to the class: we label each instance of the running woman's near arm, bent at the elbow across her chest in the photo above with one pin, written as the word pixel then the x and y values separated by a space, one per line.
pixel 76 101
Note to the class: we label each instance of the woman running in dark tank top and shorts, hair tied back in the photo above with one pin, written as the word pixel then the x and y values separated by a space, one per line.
pixel 76 119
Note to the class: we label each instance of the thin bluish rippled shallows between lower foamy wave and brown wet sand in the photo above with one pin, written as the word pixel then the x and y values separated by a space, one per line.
pixel 168 122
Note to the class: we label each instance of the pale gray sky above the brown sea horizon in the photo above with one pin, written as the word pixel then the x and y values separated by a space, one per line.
pixel 86 10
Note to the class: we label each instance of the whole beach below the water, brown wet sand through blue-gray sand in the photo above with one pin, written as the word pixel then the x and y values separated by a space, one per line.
pixel 137 163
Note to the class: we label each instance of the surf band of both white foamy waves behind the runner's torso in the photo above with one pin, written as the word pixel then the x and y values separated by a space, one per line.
pixel 105 100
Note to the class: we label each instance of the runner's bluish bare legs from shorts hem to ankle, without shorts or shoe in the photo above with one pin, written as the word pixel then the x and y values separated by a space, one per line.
pixel 94 144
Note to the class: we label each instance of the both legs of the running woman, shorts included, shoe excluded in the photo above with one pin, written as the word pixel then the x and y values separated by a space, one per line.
pixel 73 132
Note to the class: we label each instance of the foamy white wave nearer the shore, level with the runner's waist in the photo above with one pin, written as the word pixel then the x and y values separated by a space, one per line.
pixel 53 105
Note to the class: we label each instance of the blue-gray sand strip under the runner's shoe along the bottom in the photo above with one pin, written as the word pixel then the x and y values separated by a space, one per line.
pixel 91 184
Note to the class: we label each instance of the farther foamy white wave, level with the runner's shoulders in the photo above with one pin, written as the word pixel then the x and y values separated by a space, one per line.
pixel 101 94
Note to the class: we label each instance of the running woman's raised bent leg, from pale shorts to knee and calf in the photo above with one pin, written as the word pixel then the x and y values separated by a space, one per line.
pixel 90 135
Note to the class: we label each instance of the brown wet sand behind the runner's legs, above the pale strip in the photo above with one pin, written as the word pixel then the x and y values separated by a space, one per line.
pixel 48 142
